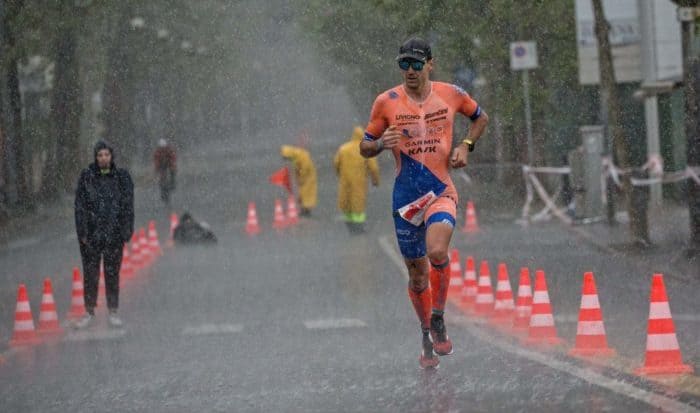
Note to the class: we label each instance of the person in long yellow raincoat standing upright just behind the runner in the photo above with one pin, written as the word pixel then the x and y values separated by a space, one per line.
pixel 352 170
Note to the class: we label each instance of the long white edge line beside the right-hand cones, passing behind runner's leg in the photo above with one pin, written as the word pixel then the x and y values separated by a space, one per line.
pixel 626 389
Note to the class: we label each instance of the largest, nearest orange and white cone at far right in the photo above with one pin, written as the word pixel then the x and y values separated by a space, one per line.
pixel 663 352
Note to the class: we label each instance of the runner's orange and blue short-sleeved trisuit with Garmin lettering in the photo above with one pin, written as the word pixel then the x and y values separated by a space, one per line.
pixel 423 190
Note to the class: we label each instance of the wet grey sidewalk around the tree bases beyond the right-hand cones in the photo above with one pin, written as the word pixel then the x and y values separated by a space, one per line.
pixel 669 232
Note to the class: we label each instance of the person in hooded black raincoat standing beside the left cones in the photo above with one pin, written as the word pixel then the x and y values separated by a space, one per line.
pixel 104 222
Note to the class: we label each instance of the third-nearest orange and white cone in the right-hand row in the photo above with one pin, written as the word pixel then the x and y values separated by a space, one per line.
pixel 542 329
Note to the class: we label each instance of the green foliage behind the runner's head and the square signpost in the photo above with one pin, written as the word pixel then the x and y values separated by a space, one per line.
pixel 362 37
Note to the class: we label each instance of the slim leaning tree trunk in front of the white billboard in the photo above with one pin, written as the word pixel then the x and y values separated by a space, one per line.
pixel 636 197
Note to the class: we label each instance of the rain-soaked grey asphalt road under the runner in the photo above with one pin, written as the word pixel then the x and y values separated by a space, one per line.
pixel 310 319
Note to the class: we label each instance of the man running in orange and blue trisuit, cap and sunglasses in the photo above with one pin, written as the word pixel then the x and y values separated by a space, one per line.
pixel 414 120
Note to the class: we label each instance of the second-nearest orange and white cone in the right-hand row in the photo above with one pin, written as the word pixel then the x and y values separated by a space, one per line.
pixel 590 332
